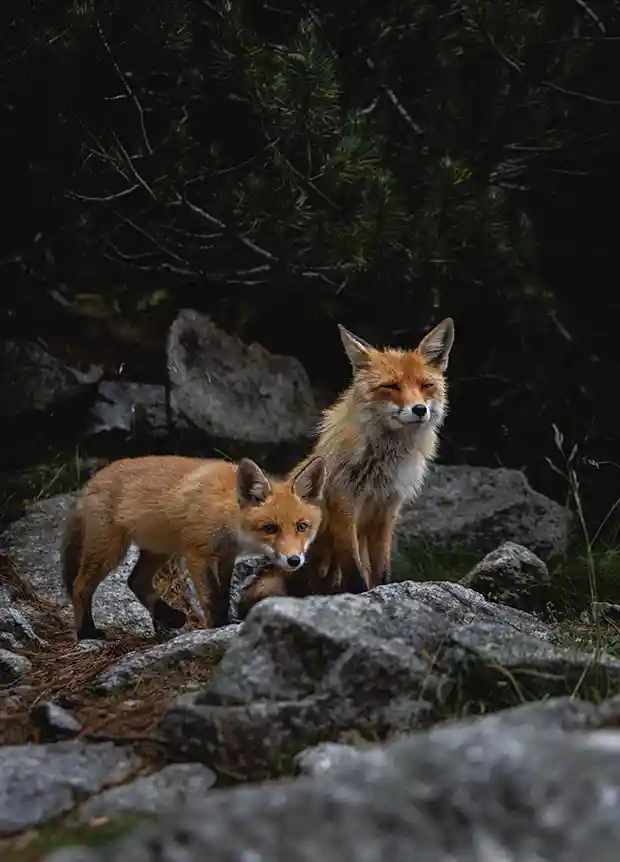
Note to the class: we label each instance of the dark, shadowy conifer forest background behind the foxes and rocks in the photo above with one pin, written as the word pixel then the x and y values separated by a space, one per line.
pixel 285 167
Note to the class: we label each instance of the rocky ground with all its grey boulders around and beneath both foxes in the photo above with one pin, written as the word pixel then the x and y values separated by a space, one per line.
pixel 450 711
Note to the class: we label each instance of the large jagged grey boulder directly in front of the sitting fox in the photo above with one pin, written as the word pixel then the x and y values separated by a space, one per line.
pixel 347 668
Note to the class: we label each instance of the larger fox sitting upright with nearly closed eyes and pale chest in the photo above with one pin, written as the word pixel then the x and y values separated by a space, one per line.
pixel 377 441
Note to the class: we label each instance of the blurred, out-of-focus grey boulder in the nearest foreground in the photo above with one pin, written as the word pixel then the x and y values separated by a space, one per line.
pixel 467 793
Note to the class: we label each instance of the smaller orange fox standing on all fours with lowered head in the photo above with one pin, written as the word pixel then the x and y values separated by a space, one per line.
pixel 211 512
